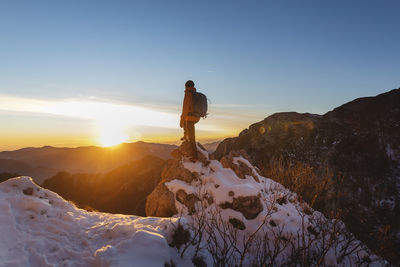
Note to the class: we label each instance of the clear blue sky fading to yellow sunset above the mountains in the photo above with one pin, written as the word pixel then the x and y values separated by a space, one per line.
pixel 76 73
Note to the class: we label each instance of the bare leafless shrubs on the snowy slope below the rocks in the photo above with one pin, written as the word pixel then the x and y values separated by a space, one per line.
pixel 270 244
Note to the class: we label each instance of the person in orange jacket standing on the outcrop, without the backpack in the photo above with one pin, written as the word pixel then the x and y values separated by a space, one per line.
pixel 188 119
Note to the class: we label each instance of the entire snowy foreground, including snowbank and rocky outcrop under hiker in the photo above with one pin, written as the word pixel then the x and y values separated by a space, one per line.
pixel 222 213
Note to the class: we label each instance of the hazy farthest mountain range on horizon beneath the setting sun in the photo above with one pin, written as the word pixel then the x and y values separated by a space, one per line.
pixel 43 162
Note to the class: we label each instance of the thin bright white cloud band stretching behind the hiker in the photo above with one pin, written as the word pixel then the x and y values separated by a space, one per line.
pixel 223 118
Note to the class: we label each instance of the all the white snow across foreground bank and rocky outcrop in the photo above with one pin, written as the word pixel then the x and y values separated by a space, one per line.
pixel 39 228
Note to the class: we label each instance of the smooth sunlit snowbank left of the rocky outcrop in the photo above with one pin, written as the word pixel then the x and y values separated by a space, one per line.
pixel 43 229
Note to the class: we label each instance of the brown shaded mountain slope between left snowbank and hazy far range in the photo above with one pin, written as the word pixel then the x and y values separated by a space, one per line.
pixel 122 190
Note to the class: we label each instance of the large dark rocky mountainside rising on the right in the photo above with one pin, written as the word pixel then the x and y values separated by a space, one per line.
pixel 359 140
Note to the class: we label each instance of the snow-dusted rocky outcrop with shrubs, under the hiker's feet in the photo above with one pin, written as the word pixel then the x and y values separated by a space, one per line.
pixel 228 202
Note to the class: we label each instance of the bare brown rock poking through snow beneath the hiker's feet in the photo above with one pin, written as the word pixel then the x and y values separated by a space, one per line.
pixel 161 201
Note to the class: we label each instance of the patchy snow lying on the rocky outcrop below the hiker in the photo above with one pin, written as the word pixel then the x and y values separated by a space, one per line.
pixel 290 215
